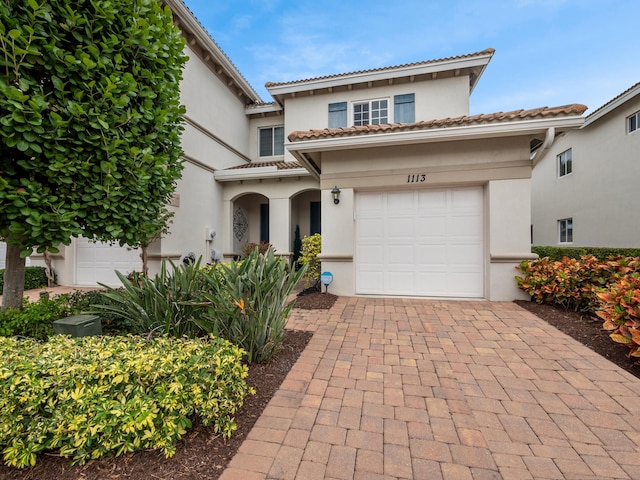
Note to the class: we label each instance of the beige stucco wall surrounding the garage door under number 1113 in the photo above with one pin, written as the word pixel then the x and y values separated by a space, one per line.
pixel 501 165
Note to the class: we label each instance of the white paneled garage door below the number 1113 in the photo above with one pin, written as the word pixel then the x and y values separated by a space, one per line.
pixel 420 242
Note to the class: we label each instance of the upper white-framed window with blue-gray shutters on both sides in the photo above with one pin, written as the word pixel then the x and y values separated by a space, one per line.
pixel 373 112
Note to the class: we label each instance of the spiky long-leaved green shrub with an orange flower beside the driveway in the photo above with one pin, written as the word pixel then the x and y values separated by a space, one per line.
pixel 248 302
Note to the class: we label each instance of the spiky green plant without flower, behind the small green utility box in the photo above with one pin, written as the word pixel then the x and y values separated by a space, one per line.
pixel 164 305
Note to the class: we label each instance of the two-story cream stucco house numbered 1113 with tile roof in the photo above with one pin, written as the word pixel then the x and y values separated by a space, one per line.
pixel 412 195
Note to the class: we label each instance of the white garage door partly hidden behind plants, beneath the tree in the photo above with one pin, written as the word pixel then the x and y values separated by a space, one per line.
pixel 97 262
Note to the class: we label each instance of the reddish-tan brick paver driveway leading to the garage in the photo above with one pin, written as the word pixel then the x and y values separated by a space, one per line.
pixel 403 388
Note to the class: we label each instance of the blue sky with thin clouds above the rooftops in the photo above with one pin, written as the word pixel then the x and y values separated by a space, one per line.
pixel 548 52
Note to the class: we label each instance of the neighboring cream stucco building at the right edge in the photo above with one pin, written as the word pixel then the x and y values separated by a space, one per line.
pixel 585 187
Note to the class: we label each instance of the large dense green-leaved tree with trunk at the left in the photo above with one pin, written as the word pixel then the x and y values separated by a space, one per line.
pixel 90 124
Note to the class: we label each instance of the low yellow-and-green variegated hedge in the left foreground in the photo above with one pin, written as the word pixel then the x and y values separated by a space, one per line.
pixel 88 397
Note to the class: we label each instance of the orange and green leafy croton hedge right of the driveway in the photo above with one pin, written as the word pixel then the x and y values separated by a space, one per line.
pixel 608 288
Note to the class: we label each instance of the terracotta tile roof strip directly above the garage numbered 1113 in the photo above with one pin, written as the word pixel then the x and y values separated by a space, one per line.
pixel 463 121
